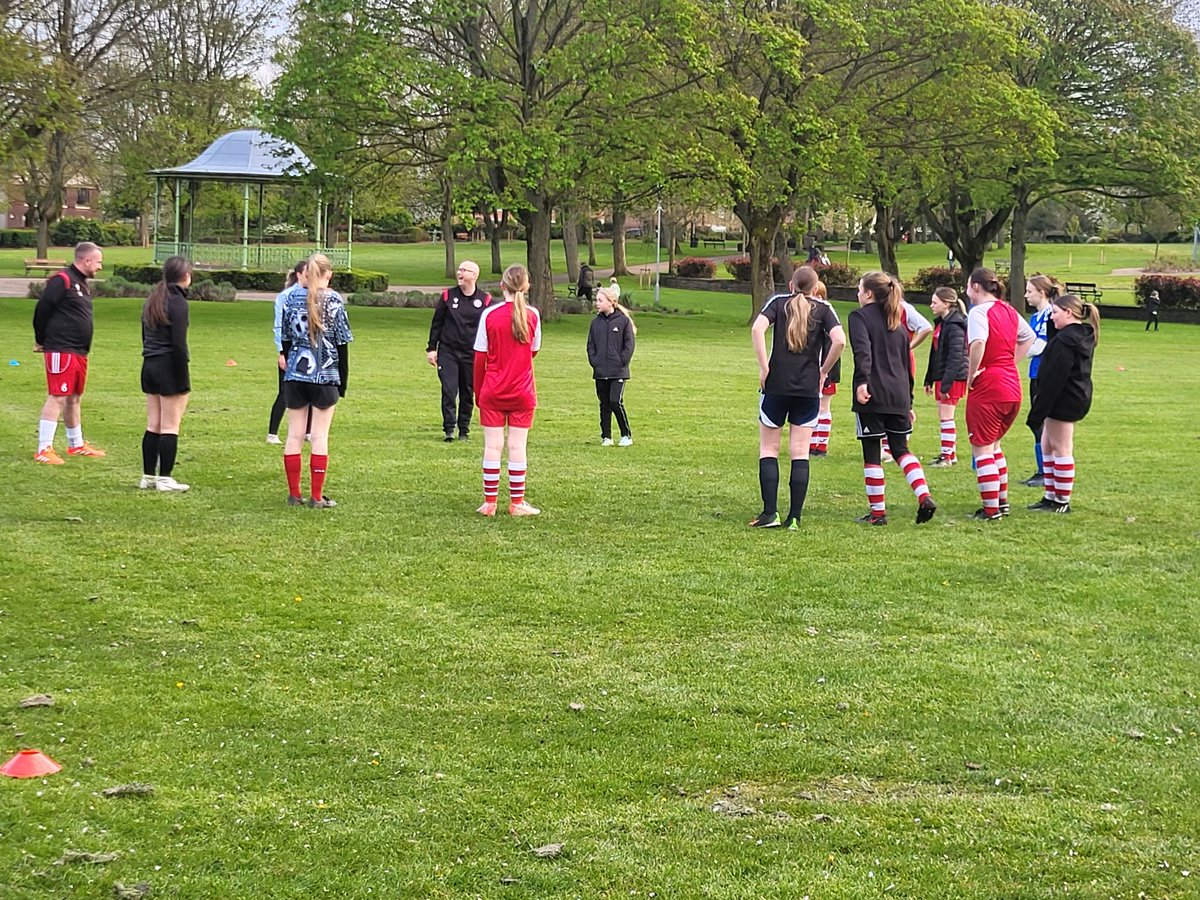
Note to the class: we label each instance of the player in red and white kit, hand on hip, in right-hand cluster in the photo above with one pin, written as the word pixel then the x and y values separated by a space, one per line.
pixel 997 338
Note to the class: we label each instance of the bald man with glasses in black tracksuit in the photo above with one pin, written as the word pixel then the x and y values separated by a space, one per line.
pixel 452 339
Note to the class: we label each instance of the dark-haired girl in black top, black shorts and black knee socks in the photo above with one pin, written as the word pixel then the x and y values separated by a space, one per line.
pixel 165 377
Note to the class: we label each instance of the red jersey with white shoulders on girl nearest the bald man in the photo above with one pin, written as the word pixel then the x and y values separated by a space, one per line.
pixel 503 365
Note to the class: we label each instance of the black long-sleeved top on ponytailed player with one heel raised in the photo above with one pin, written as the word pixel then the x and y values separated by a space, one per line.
pixel 883 363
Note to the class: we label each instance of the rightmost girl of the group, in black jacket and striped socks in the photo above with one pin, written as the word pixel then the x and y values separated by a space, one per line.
pixel 1065 395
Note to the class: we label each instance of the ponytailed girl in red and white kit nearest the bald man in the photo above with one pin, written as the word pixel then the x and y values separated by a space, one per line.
pixel 509 338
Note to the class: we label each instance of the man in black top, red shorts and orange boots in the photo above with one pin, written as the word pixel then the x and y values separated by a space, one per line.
pixel 63 331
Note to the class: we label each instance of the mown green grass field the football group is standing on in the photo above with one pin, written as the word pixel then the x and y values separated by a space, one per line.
pixel 398 699
